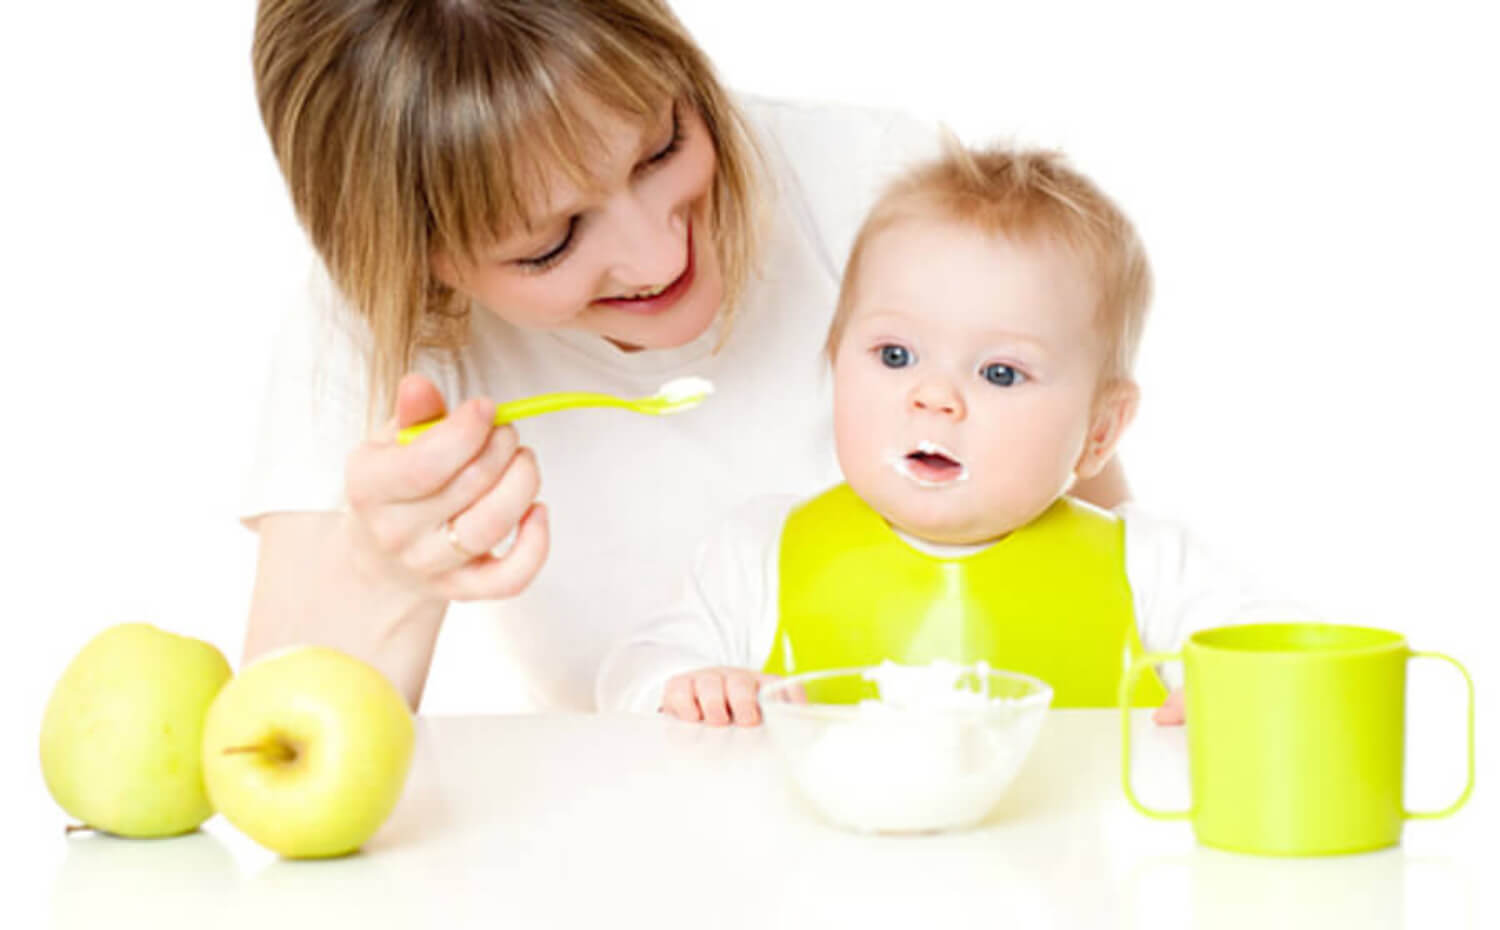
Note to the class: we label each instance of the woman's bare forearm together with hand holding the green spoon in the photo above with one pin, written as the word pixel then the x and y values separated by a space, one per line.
pixel 374 581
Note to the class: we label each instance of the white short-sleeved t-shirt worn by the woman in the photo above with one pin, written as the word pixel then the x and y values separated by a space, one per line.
pixel 629 497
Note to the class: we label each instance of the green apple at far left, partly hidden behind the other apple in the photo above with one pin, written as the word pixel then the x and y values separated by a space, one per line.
pixel 124 728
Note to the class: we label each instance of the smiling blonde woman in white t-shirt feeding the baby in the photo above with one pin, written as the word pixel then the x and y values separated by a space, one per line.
pixel 515 197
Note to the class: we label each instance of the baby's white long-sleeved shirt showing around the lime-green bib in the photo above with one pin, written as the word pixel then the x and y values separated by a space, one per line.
pixel 725 614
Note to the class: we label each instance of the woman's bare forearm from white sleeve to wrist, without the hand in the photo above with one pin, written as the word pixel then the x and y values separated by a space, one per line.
pixel 311 589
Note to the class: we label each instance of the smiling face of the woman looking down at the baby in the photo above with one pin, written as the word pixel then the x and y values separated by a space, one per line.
pixel 632 260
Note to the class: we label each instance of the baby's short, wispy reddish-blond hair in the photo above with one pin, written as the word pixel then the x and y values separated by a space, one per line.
pixel 1027 196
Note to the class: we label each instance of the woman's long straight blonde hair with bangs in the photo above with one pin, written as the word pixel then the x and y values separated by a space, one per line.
pixel 407 128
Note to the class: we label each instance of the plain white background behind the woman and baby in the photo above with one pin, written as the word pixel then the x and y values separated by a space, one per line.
pixel 1316 184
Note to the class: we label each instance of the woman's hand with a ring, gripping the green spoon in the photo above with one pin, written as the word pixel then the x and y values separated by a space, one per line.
pixel 427 517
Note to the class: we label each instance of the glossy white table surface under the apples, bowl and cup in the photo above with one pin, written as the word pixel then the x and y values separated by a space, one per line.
pixel 581 821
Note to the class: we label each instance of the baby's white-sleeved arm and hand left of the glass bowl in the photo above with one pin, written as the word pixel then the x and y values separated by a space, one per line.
pixel 697 658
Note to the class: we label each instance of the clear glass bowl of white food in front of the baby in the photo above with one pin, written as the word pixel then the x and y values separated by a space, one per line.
pixel 905 749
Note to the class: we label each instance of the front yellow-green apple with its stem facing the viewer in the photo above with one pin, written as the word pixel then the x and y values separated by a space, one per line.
pixel 307 752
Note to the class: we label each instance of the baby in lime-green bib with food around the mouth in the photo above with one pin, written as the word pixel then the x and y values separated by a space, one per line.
pixel 982 353
